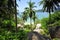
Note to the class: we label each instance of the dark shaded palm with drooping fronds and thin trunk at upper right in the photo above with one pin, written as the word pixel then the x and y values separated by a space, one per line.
pixel 50 6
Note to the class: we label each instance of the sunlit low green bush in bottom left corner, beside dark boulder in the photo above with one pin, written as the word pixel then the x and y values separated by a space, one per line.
pixel 8 35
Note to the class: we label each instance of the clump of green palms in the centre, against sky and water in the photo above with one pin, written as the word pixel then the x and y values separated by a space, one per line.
pixel 29 12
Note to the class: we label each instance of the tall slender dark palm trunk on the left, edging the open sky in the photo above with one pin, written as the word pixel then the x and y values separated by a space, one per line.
pixel 13 3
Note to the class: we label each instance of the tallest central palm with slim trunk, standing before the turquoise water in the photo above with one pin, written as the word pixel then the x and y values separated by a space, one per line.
pixel 31 12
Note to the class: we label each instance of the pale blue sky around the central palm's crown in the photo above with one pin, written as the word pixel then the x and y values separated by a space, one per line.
pixel 24 3
